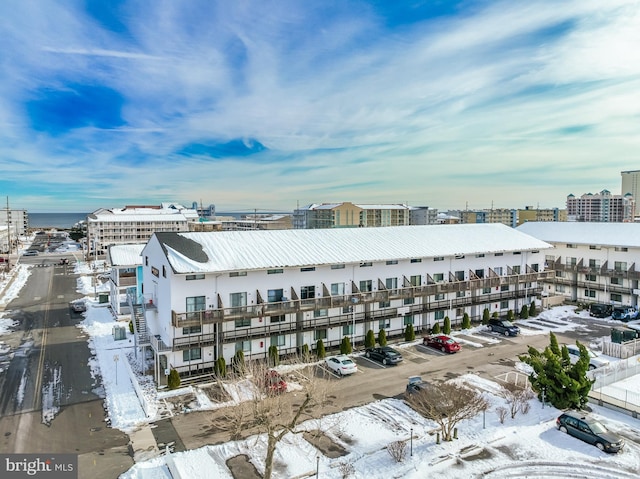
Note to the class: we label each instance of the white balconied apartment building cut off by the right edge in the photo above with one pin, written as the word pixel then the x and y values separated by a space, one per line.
pixel 593 262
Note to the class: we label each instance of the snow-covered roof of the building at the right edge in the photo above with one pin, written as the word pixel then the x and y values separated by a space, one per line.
pixel 604 234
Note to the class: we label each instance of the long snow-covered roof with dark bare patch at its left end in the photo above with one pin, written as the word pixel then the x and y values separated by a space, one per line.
pixel 246 250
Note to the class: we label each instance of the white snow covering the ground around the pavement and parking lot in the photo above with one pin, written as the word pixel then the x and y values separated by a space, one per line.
pixel 526 446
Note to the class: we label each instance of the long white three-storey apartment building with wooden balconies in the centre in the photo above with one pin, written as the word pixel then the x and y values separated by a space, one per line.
pixel 208 295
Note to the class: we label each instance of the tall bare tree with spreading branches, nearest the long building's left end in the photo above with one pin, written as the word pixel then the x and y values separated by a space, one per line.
pixel 264 403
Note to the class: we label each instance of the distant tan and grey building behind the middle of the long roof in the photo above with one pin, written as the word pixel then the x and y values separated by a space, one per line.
pixel 350 215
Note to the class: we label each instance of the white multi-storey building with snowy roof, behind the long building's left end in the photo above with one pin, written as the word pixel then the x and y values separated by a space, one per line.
pixel 133 224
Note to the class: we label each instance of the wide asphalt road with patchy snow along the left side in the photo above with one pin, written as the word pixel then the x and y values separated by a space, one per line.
pixel 49 403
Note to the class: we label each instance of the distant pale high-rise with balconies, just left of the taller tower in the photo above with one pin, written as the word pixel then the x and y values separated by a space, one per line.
pixel 602 207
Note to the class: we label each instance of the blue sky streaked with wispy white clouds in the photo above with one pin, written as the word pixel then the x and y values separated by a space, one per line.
pixel 273 104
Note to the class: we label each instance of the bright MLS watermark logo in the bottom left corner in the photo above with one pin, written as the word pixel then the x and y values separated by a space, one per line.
pixel 49 466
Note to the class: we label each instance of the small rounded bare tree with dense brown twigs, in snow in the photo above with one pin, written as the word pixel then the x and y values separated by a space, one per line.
pixel 447 404
